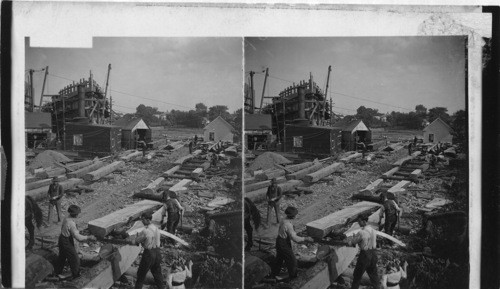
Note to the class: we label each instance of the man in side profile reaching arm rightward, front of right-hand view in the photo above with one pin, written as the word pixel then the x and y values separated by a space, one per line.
pixel 284 251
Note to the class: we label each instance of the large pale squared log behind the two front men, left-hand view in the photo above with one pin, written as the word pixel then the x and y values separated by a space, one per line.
pixel 103 226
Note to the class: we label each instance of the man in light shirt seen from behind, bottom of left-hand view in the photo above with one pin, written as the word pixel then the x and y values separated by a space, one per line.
pixel 151 259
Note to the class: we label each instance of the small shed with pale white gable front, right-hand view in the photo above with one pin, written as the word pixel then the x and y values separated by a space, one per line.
pixel 353 131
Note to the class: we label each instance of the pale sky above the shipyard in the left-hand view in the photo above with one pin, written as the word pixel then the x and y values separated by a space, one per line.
pixel 167 73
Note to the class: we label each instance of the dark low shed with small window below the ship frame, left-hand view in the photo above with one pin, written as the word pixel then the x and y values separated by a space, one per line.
pixel 93 138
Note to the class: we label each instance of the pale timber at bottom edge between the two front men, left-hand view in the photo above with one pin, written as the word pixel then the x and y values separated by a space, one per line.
pixel 105 278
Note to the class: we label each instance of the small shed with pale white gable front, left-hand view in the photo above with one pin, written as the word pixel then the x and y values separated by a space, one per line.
pixel 132 131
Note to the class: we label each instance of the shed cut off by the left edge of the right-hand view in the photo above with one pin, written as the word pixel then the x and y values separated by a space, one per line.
pixel 258 130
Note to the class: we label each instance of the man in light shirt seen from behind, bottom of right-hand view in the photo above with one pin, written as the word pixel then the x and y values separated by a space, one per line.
pixel 366 239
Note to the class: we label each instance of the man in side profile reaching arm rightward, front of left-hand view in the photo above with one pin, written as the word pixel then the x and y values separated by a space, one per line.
pixel 67 249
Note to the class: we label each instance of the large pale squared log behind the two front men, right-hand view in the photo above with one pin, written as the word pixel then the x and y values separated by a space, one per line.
pixel 335 221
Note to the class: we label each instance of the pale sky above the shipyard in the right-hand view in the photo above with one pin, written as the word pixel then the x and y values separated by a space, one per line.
pixel 384 73
